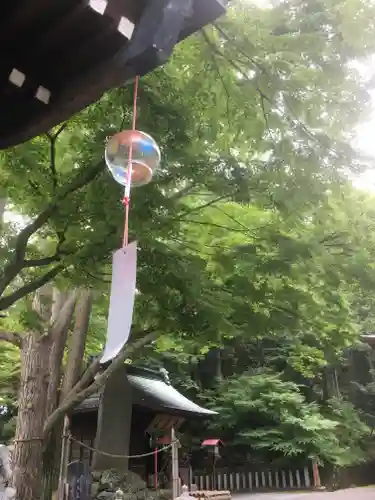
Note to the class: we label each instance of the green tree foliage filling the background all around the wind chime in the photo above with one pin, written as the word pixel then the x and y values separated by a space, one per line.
pixel 256 254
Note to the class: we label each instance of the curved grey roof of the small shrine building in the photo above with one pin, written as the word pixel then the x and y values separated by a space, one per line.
pixel 153 391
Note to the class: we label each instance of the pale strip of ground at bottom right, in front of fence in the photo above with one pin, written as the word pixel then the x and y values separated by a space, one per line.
pixel 350 494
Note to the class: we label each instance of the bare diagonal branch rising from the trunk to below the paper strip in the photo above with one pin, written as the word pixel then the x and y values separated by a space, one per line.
pixel 77 396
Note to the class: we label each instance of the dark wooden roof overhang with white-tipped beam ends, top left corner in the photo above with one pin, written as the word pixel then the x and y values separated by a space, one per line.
pixel 57 57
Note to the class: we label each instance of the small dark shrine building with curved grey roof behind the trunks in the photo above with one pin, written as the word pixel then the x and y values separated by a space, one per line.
pixel 136 408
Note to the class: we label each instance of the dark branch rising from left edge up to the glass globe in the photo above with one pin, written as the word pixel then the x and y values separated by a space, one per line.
pixel 85 176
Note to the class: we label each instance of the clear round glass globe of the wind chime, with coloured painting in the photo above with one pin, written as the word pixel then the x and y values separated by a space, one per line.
pixel 144 152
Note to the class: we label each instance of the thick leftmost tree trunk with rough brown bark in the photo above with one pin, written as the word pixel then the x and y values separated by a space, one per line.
pixel 27 457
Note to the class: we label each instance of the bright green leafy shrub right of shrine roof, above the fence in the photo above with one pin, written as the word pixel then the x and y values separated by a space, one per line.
pixel 273 418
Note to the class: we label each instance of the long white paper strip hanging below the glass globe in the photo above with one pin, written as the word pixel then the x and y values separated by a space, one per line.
pixel 124 274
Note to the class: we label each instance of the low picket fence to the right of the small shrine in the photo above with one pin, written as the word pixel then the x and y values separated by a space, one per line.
pixel 251 479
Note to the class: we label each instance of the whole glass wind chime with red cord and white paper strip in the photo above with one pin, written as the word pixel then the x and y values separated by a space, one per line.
pixel 132 158
